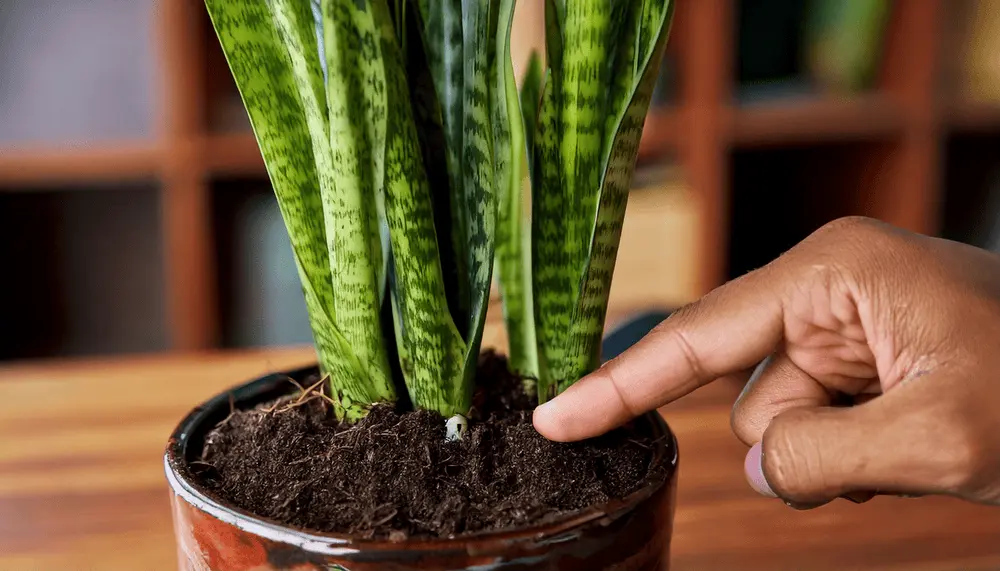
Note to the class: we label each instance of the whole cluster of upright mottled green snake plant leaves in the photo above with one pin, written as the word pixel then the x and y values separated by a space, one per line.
pixel 397 142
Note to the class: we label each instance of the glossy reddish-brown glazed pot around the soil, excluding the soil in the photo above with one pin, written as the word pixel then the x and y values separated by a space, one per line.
pixel 628 535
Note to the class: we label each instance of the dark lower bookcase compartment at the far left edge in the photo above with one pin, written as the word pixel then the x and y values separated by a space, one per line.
pixel 84 272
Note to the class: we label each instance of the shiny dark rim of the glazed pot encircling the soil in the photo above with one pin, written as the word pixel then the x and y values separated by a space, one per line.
pixel 196 422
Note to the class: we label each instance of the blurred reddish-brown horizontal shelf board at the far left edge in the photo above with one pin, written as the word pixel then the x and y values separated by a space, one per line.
pixel 41 167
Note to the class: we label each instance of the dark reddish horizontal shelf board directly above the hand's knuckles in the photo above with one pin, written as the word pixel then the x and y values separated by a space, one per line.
pixel 816 120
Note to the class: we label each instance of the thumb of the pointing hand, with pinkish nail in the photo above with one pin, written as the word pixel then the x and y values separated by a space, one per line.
pixel 810 456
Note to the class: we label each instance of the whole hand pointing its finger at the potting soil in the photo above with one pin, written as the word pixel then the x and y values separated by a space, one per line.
pixel 901 328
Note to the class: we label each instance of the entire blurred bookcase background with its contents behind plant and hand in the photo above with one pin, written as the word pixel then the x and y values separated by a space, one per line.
pixel 136 215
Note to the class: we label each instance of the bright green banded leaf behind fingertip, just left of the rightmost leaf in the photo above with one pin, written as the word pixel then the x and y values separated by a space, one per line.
pixel 567 210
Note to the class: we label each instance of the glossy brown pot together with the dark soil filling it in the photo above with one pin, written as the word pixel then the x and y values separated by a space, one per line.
pixel 391 485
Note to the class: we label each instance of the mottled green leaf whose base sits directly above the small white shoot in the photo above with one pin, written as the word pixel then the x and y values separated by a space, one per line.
pixel 431 350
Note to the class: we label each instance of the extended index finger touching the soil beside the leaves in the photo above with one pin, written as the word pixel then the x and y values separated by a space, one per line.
pixel 728 331
